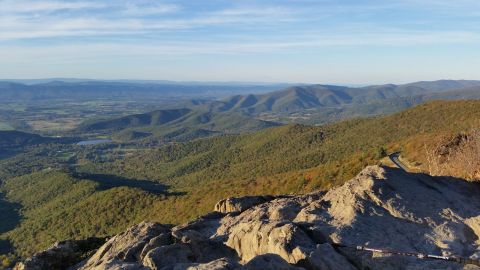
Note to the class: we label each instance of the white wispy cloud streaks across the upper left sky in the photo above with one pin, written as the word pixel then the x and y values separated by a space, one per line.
pixel 122 18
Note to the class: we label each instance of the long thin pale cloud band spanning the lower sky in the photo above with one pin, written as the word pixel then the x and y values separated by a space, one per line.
pixel 287 45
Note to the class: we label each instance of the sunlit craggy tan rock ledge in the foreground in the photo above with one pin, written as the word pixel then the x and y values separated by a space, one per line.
pixel 381 207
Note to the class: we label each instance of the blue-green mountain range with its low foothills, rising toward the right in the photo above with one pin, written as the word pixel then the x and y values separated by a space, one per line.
pixel 311 104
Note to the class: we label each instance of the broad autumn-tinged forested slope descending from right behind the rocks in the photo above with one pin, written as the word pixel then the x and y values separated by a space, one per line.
pixel 289 159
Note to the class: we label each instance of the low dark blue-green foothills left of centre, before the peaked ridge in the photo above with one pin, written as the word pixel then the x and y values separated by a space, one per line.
pixel 174 125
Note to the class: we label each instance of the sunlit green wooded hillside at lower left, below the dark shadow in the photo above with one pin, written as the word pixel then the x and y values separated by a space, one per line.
pixel 65 206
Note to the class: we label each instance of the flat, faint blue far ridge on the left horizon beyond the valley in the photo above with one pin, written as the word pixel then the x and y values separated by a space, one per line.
pixel 14 91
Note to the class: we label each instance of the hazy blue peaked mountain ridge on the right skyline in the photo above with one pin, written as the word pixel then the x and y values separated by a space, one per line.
pixel 320 96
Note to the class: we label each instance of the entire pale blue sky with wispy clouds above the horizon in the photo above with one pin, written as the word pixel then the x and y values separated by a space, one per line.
pixel 307 41
